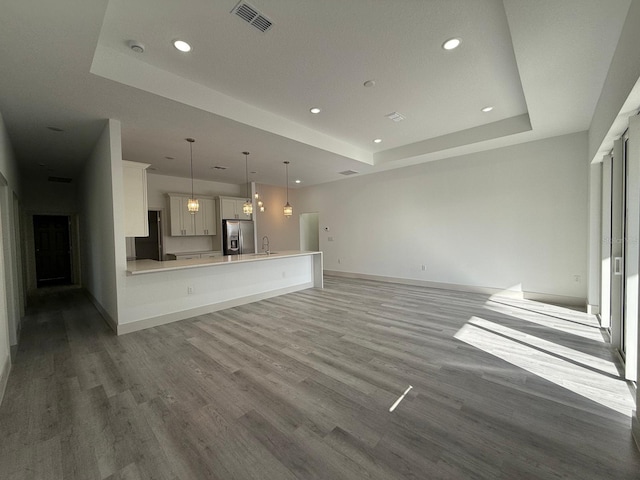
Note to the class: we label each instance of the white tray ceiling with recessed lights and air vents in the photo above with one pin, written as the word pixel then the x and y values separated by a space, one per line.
pixel 67 64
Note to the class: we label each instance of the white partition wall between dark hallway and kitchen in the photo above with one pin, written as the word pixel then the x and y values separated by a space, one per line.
pixel 102 222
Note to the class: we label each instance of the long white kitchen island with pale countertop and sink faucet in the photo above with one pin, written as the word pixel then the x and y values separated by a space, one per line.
pixel 161 292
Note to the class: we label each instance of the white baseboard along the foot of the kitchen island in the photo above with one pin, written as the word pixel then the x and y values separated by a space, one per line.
pixel 125 328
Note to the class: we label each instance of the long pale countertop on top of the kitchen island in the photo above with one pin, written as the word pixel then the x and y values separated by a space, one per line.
pixel 137 267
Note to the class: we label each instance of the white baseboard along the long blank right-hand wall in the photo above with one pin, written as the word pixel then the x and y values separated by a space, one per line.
pixel 535 296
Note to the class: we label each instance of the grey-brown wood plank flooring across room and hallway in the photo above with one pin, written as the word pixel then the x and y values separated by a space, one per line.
pixel 299 387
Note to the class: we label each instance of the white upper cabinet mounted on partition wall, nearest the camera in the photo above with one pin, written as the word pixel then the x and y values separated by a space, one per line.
pixel 136 221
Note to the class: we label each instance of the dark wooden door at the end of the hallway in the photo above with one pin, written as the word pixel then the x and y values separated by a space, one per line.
pixel 53 250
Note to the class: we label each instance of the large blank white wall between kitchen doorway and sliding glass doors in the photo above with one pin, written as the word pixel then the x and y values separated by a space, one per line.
pixel 512 218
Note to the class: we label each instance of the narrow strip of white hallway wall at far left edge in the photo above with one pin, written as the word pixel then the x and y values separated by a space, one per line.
pixel 10 286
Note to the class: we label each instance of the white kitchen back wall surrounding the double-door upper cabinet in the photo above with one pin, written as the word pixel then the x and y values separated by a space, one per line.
pixel 157 188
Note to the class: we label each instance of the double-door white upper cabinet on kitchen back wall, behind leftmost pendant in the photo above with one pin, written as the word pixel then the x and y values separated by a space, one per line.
pixel 183 223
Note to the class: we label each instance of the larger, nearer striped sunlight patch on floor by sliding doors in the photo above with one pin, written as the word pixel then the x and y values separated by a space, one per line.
pixel 560 365
